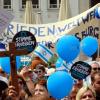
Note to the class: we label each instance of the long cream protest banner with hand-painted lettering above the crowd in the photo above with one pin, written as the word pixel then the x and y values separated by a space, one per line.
pixel 81 25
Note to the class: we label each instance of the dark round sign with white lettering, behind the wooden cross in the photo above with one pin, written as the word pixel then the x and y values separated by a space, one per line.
pixel 25 40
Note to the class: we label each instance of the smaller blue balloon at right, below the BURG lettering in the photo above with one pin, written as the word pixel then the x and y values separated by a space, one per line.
pixel 89 45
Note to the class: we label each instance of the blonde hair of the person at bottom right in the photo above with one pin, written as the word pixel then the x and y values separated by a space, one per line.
pixel 83 90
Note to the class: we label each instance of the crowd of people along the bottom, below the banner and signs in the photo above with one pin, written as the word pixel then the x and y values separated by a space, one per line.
pixel 32 82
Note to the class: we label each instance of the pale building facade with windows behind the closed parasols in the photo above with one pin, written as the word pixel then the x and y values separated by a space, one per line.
pixel 49 9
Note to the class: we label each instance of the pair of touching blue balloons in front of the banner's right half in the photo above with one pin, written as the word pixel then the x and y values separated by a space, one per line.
pixel 68 47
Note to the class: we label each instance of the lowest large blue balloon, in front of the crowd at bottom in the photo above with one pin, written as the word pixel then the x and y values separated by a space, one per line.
pixel 59 84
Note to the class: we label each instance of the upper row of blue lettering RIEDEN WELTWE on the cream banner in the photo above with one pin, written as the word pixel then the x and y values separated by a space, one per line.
pixel 52 30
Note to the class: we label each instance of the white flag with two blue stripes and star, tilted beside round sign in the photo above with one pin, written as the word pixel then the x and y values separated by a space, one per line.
pixel 43 52
